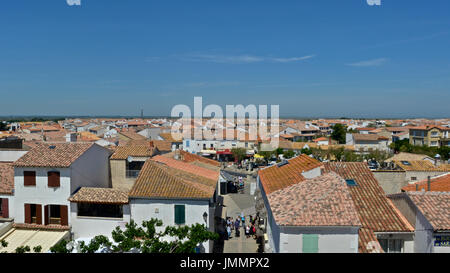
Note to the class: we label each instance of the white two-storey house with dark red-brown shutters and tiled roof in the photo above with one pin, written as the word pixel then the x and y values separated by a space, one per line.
pixel 47 175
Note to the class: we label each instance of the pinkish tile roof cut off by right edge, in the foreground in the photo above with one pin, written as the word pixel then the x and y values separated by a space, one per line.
pixel 435 206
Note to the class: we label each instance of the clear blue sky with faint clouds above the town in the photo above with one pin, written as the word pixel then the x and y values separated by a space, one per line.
pixel 313 58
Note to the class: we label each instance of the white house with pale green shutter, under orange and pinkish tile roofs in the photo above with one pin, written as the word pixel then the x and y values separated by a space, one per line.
pixel 302 211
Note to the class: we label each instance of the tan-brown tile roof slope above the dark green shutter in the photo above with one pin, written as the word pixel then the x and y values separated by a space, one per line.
pixel 157 180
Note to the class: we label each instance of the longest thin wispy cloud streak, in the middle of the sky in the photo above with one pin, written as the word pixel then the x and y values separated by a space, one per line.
pixel 242 59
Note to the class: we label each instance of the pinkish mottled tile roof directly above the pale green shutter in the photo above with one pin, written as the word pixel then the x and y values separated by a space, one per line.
pixel 321 201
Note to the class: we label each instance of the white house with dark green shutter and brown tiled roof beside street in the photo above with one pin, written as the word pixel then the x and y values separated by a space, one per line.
pixel 176 192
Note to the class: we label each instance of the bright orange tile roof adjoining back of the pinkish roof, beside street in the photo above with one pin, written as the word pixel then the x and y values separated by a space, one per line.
pixel 275 178
